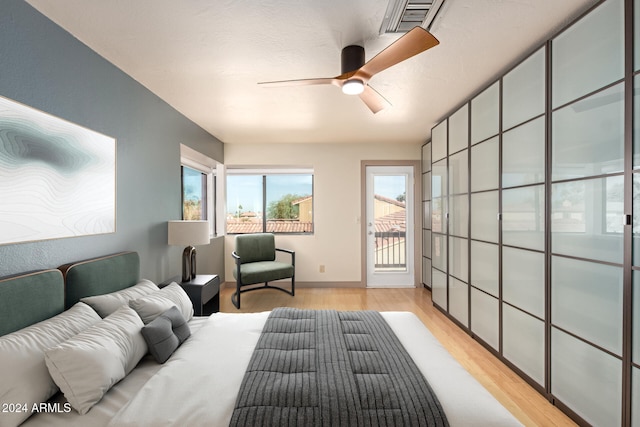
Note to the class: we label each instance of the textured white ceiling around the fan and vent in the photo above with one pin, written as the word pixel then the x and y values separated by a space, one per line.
pixel 206 57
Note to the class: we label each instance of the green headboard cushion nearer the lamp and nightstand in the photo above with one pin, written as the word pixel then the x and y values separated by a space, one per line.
pixel 99 276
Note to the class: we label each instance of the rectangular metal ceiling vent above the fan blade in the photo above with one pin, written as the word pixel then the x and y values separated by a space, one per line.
pixel 403 15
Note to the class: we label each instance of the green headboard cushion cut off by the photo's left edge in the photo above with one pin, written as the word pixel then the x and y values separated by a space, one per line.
pixel 29 298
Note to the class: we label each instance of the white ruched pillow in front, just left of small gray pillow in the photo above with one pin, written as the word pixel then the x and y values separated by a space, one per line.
pixel 87 365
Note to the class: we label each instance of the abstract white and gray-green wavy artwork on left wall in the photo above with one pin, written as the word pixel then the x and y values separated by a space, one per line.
pixel 57 179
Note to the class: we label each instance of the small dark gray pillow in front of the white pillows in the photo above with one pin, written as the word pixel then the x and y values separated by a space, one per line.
pixel 165 333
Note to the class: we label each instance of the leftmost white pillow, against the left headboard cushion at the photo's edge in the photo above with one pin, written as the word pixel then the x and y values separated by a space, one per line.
pixel 25 378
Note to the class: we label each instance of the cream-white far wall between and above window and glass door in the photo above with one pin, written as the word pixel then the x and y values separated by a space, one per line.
pixel 336 241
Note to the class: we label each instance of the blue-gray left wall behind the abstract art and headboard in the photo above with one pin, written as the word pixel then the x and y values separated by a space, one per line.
pixel 43 66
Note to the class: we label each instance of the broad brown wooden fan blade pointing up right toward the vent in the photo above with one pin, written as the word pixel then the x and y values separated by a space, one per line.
pixel 417 40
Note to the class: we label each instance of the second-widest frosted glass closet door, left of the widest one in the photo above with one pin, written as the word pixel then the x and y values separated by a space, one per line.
pixel 523 217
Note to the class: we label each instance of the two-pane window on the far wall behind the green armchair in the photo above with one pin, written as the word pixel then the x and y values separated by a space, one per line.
pixel 269 201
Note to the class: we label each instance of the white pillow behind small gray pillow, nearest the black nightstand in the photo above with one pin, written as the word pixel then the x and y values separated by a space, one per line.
pixel 153 305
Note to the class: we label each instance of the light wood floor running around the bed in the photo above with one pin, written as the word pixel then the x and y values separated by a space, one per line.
pixel 530 407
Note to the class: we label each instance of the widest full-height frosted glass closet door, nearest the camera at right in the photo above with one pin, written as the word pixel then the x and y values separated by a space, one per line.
pixel 587 141
